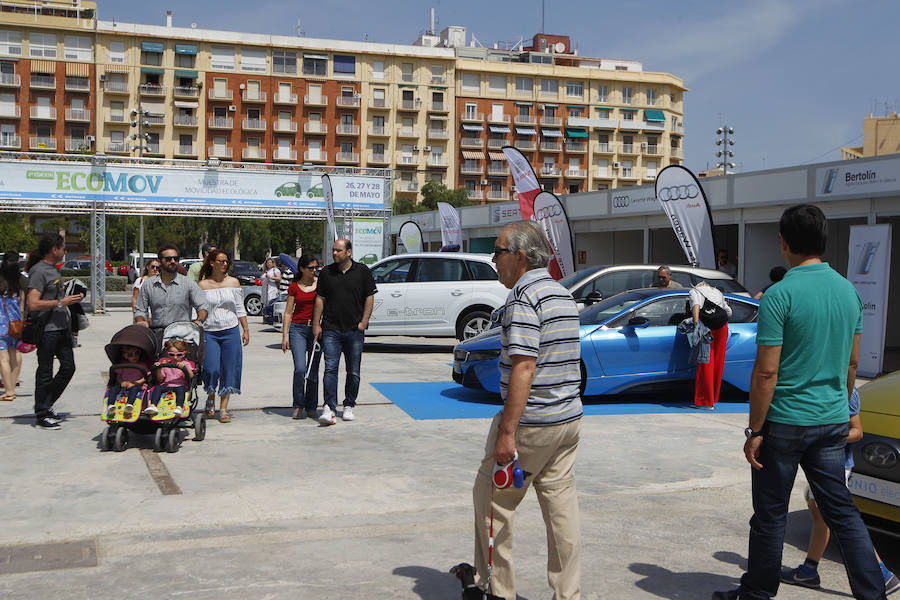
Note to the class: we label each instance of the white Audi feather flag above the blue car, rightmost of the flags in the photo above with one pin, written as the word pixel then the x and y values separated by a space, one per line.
pixel 684 202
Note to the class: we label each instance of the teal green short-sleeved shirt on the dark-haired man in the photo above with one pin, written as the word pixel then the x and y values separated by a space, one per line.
pixel 812 314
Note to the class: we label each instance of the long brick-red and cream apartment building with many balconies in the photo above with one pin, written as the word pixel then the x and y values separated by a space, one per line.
pixel 437 109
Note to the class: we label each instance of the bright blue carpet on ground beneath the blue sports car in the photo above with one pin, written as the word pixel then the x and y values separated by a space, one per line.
pixel 447 400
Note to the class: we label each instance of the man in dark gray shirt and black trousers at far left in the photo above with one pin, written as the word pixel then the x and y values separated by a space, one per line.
pixel 45 302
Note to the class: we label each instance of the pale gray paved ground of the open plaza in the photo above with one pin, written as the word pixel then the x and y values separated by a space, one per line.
pixel 381 507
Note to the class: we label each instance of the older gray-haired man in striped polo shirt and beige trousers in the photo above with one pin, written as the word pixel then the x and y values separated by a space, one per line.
pixel 541 416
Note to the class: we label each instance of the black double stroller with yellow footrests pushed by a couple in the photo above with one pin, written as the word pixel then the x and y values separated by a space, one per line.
pixel 128 410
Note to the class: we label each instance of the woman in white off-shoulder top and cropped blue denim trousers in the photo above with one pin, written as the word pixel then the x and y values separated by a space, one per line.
pixel 223 360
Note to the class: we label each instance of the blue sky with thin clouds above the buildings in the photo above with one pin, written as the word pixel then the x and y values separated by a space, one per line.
pixel 795 78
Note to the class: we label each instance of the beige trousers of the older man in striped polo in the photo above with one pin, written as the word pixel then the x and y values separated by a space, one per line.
pixel 548 453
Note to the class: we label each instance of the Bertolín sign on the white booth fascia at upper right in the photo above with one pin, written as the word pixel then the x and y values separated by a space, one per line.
pixel 858 177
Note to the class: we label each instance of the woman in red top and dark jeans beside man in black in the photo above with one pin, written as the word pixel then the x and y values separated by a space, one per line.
pixel 298 338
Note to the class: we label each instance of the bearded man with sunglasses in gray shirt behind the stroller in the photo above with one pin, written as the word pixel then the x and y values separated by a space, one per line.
pixel 169 296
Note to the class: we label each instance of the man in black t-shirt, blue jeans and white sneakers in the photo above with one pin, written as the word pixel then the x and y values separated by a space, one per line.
pixel 345 295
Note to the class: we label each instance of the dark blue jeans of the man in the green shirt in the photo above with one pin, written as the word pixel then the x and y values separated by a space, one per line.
pixel 820 451
